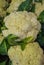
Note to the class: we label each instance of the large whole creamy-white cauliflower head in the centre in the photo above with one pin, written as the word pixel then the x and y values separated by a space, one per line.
pixel 22 24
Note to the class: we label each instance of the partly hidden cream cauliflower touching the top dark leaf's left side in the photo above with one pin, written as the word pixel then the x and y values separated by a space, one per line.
pixel 14 5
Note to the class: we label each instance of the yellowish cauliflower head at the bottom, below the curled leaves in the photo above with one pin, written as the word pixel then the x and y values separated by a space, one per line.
pixel 31 55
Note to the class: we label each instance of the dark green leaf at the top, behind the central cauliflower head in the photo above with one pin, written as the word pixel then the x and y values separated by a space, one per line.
pixel 28 5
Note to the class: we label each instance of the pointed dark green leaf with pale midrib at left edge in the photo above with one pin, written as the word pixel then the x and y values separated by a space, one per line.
pixel 4 47
